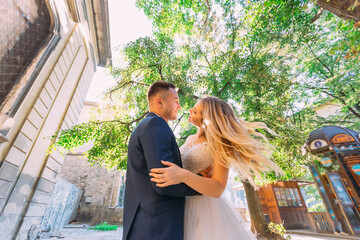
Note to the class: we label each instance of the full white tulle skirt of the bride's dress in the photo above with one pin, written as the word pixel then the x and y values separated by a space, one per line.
pixel 208 218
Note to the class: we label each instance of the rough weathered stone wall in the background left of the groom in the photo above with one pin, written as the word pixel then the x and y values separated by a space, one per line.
pixel 100 190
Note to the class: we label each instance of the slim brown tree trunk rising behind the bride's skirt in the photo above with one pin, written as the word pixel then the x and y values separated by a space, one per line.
pixel 258 221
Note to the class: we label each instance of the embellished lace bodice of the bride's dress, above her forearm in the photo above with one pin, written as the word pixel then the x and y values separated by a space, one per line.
pixel 195 157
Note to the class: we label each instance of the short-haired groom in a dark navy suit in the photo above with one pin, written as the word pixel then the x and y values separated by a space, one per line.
pixel 151 212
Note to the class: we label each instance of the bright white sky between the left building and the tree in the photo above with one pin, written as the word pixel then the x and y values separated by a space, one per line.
pixel 127 23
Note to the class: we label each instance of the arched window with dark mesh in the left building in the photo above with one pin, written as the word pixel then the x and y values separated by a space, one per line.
pixel 24 29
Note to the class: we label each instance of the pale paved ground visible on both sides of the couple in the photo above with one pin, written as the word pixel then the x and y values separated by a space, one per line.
pixel 81 233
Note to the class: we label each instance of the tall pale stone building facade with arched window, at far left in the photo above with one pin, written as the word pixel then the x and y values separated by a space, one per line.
pixel 48 54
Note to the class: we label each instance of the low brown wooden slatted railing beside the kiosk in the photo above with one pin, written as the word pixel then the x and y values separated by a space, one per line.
pixel 320 222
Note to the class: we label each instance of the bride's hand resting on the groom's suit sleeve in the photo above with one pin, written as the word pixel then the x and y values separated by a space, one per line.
pixel 171 175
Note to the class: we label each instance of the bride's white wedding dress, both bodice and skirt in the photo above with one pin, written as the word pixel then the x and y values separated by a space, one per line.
pixel 209 218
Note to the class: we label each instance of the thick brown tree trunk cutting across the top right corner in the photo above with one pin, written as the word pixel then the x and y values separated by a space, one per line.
pixel 341 8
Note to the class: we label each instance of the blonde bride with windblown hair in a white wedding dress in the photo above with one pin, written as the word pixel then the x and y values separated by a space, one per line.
pixel 222 141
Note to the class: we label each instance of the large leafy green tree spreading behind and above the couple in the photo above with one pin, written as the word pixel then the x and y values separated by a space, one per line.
pixel 262 57
